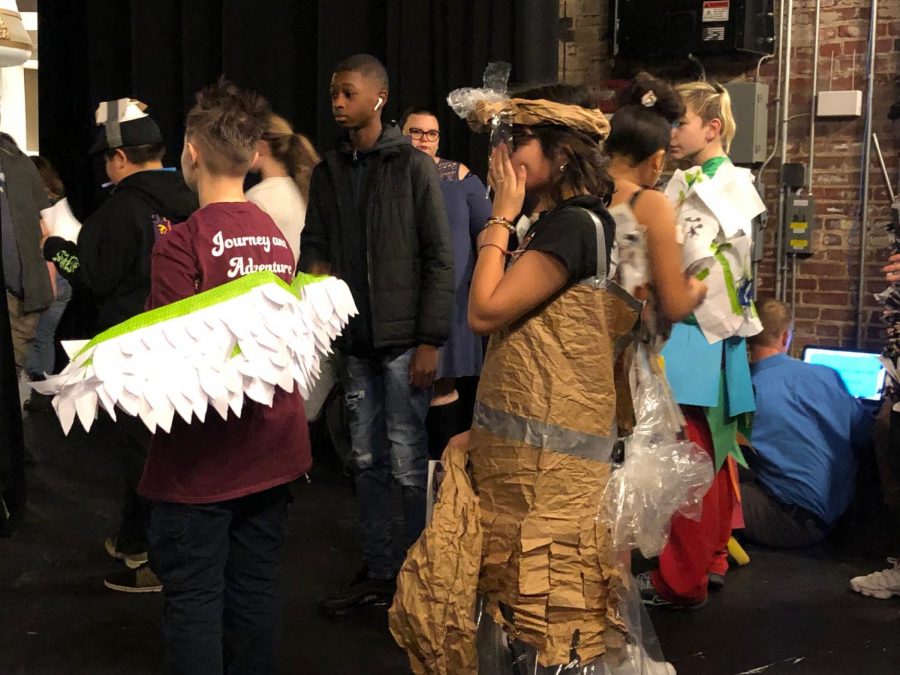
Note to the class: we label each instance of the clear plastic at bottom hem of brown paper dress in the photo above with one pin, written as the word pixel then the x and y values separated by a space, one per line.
pixel 498 655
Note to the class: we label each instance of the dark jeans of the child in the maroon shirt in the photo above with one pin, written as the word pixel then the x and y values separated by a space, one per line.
pixel 218 564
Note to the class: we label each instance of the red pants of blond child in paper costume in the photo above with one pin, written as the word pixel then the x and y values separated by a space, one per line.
pixel 697 548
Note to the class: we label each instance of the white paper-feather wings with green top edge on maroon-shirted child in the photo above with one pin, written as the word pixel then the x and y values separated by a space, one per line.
pixel 244 338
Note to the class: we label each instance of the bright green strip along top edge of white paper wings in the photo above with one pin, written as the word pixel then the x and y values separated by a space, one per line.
pixel 214 296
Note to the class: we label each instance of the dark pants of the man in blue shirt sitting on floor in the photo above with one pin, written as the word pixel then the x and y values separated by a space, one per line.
pixel 771 523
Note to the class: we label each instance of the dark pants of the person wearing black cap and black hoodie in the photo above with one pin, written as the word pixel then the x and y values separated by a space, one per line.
pixel 132 440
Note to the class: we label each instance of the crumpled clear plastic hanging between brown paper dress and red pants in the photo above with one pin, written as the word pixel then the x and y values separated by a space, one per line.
pixel 662 474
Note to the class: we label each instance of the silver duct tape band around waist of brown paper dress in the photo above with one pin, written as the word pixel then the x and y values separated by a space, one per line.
pixel 545 435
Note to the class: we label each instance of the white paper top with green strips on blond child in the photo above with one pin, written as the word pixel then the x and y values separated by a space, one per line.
pixel 715 218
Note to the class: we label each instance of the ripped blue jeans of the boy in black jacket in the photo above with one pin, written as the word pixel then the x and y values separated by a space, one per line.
pixel 390 442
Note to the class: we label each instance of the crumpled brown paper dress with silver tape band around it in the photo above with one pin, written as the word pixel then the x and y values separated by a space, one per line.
pixel 546 423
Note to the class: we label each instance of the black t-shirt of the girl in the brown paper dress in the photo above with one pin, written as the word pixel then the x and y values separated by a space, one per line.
pixel 569 234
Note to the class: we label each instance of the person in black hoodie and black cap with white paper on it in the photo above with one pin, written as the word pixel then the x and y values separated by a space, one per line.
pixel 112 260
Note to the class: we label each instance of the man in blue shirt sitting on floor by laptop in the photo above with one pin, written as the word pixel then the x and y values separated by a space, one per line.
pixel 805 430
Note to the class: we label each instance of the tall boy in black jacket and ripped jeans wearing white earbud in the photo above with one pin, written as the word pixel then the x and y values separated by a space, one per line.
pixel 376 219
